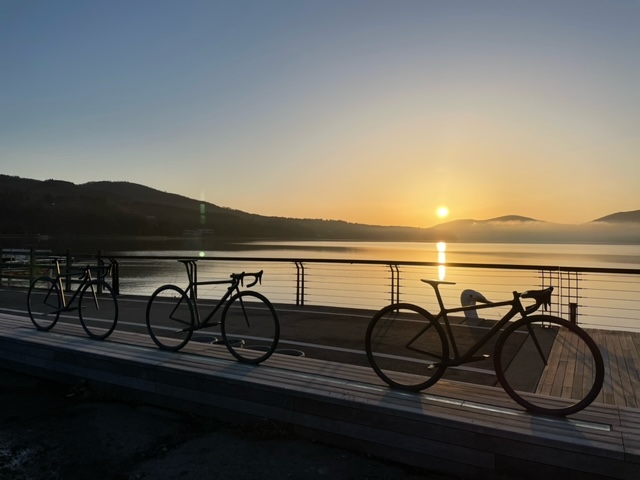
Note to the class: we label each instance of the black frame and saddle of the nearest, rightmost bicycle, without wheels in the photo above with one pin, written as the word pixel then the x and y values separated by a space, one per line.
pixel 469 356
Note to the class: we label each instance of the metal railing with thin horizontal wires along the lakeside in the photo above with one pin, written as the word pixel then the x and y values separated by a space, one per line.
pixel 596 297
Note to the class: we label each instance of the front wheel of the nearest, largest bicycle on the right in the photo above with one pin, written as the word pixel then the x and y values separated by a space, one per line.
pixel 549 365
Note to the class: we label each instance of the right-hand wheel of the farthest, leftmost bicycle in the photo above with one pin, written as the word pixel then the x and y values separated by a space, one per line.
pixel 98 309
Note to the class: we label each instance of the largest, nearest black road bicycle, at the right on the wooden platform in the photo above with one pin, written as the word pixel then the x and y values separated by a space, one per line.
pixel 408 348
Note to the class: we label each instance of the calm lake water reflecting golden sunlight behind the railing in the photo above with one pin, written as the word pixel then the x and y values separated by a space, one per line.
pixel 605 300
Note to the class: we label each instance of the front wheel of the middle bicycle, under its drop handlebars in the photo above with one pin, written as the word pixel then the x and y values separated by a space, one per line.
pixel 249 319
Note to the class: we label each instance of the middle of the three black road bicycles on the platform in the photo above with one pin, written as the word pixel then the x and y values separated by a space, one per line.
pixel 173 315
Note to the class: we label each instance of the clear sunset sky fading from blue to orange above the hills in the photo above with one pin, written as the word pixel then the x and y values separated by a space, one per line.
pixel 369 111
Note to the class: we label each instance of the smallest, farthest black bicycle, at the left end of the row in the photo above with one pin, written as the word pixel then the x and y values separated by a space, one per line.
pixel 97 304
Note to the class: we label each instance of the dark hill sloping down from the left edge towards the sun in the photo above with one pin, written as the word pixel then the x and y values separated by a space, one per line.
pixel 54 207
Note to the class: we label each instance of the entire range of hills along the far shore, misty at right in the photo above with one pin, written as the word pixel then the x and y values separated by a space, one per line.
pixel 59 208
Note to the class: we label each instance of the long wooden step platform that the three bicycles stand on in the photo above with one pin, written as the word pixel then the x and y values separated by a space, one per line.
pixel 473 431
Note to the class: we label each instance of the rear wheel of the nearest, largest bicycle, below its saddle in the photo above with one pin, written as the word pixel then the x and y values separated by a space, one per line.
pixel 404 345
